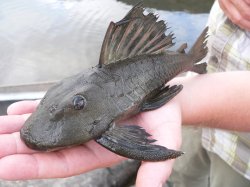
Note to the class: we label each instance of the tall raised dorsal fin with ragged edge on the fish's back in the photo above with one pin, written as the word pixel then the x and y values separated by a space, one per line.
pixel 136 34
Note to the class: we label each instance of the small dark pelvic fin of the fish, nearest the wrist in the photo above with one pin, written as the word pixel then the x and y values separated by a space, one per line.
pixel 161 98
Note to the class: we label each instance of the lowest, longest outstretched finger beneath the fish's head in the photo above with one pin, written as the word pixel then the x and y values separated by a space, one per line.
pixel 64 163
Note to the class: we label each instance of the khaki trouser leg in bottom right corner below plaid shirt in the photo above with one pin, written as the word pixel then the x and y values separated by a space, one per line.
pixel 221 174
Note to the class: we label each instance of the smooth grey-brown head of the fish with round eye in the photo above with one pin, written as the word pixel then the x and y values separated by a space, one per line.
pixel 69 114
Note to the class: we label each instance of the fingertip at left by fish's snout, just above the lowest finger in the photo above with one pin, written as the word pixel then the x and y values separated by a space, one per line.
pixel 12 144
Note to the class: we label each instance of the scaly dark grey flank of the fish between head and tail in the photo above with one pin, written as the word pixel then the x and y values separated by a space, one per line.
pixel 137 80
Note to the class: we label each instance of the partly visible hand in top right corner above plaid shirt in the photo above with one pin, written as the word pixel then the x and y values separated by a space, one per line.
pixel 238 11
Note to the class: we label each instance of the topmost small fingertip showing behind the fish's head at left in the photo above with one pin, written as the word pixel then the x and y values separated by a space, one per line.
pixel 22 107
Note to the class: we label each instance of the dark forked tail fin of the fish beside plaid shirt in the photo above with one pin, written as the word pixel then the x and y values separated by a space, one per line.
pixel 199 51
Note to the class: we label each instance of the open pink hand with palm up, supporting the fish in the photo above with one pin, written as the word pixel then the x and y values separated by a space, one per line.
pixel 18 162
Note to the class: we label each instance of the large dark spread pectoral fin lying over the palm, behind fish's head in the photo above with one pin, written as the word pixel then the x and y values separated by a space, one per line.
pixel 134 142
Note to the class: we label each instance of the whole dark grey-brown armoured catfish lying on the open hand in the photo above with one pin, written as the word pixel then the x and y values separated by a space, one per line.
pixel 130 78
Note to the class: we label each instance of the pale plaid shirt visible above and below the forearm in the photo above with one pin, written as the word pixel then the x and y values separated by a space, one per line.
pixel 229 50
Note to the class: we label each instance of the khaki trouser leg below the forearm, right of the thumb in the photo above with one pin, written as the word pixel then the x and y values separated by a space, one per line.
pixel 191 169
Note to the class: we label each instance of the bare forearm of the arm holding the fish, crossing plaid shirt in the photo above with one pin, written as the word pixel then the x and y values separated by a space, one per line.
pixel 220 100
